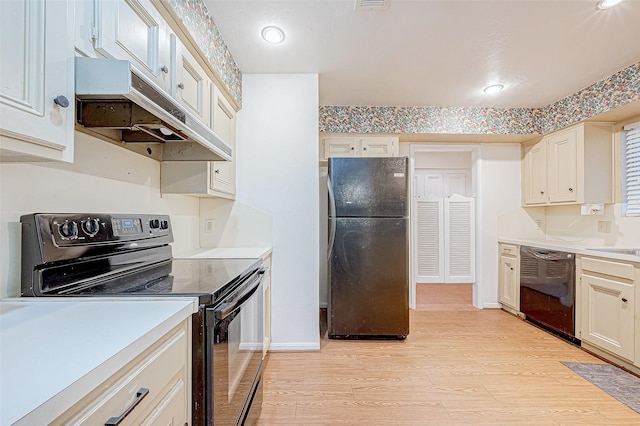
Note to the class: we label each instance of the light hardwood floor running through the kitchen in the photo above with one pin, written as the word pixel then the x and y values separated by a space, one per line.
pixel 458 366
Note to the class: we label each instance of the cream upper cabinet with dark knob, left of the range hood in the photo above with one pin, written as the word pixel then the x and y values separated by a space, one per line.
pixel 36 80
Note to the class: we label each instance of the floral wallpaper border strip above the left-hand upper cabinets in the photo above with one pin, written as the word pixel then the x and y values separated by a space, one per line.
pixel 198 21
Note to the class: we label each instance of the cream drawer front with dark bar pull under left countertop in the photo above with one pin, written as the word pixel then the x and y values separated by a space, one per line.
pixel 155 369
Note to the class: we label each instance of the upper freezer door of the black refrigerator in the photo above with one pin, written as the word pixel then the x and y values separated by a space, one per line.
pixel 368 187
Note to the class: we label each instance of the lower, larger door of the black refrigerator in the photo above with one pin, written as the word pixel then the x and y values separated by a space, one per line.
pixel 369 285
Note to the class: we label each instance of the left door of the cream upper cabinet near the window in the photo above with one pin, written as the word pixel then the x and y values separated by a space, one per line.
pixel 534 170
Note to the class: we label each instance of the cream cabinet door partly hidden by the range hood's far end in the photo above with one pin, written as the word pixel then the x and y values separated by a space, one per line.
pixel 223 120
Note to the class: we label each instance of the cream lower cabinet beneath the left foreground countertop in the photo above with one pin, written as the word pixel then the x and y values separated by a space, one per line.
pixel 153 389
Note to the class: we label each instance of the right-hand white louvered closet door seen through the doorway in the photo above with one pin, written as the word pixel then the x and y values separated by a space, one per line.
pixel 459 231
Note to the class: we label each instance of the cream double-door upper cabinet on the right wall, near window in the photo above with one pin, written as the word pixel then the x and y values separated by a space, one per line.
pixel 571 166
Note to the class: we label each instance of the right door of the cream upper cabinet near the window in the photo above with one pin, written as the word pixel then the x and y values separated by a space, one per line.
pixel 562 166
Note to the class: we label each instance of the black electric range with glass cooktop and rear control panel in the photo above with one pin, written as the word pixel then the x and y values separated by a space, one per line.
pixel 115 255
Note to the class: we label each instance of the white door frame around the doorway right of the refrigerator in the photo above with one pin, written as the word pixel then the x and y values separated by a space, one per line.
pixel 475 151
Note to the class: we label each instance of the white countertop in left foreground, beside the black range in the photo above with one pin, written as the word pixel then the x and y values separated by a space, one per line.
pixel 48 346
